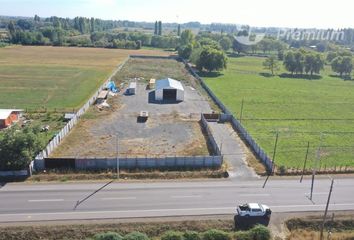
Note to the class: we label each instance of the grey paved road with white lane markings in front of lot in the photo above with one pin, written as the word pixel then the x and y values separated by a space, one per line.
pixel 25 202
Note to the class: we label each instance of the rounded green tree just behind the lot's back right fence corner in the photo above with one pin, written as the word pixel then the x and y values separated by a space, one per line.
pixel 211 59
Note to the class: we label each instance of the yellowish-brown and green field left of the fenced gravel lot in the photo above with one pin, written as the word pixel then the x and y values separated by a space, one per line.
pixel 56 77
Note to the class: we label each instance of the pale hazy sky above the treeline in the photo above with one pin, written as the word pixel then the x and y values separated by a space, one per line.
pixel 257 13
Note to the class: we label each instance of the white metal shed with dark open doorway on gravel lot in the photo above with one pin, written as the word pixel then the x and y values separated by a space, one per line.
pixel 169 89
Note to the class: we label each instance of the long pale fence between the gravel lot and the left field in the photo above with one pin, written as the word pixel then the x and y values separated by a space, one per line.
pixel 38 164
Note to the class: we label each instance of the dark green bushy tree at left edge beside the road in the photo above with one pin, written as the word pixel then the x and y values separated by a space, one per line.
pixel 18 147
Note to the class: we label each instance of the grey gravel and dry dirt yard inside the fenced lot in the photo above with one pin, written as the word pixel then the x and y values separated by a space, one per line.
pixel 171 129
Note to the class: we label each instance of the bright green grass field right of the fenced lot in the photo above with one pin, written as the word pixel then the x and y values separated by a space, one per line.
pixel 300 110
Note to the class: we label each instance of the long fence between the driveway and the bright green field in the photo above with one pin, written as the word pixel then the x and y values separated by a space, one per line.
pixel 237 126
